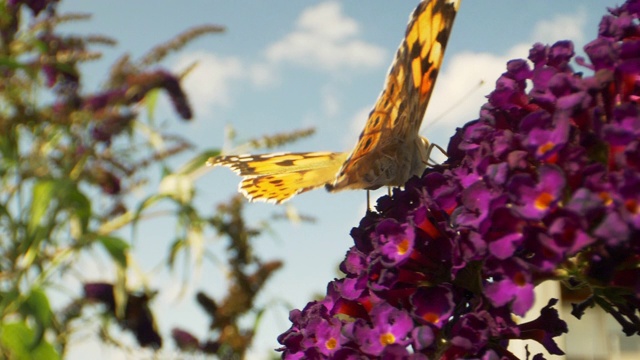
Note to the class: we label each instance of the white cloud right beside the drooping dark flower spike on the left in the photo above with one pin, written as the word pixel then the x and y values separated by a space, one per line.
pixel 209 83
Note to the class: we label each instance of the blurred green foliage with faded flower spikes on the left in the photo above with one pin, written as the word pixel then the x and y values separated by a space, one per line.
pixel 69 162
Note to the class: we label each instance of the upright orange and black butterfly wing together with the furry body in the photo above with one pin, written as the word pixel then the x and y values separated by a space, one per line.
pixel 390 149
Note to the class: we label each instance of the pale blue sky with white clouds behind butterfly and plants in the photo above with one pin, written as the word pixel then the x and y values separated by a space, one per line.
pixel 284 65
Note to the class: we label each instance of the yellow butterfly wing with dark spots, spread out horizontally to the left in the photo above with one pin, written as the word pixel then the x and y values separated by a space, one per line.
pixel 278 177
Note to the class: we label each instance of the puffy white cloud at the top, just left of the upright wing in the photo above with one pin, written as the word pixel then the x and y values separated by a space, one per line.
pixel 325 38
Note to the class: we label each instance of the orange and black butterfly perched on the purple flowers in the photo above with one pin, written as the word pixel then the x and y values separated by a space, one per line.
pixel 390 149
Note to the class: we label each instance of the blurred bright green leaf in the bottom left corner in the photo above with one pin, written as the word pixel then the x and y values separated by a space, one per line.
pixel 18 339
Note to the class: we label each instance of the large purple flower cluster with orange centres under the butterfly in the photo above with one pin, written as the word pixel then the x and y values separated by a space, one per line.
pixel 545 185
